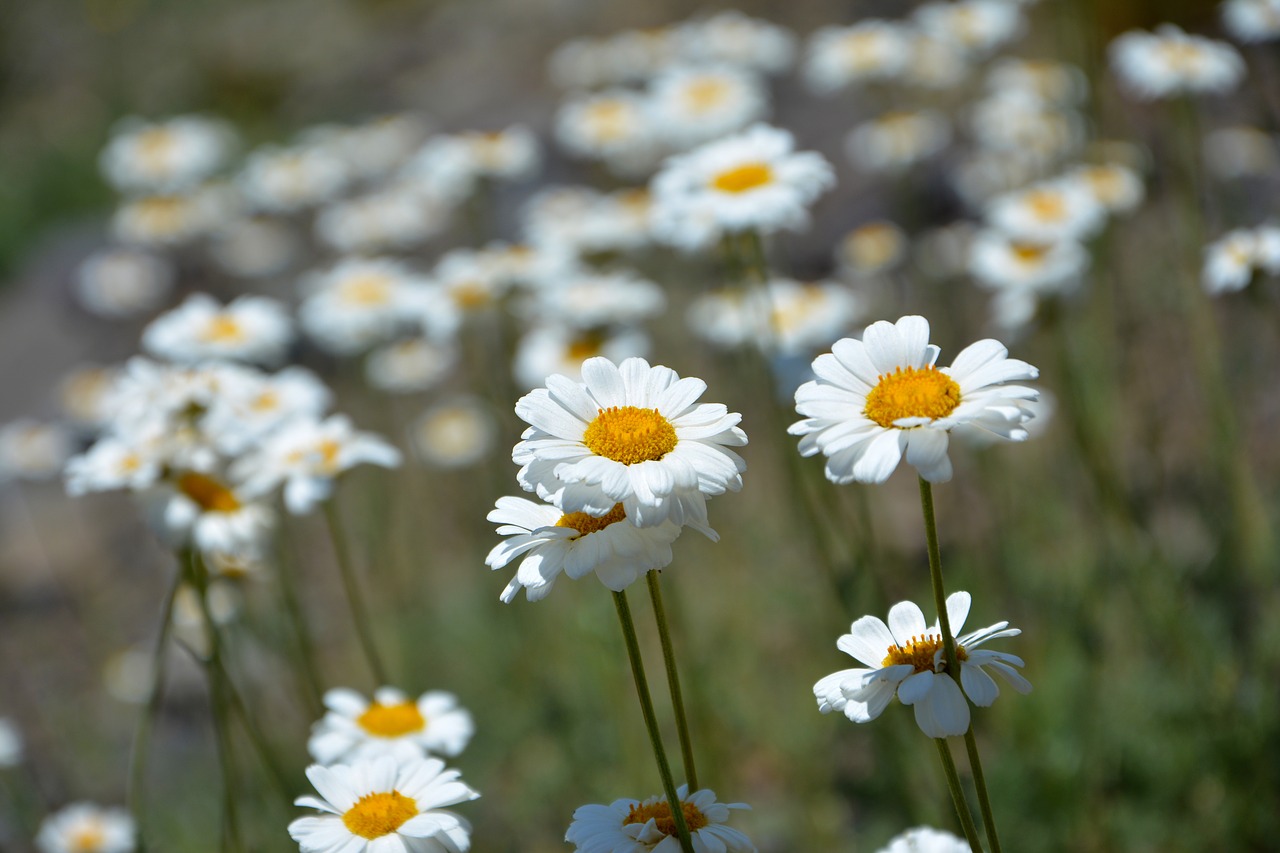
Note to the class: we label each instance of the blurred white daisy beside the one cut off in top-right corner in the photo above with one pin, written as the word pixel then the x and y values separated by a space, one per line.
pixel 1171 62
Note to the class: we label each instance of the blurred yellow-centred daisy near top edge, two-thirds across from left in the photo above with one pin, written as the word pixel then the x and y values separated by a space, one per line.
pixel 838 57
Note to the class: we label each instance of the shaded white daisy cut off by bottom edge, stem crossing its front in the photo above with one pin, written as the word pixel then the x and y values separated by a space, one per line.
pixel 647 827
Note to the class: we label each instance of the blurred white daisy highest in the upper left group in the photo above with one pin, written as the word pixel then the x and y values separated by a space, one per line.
pixel 166 156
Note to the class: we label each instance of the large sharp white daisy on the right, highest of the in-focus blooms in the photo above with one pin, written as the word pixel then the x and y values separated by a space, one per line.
pixel 881 399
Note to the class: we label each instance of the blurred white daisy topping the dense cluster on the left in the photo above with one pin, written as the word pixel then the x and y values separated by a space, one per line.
pixel 250 329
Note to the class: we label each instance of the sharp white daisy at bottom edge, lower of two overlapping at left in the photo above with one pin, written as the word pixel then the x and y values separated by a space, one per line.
pixel 385 808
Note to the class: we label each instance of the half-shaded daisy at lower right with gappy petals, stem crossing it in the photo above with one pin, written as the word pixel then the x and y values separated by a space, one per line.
pixel 907 659
